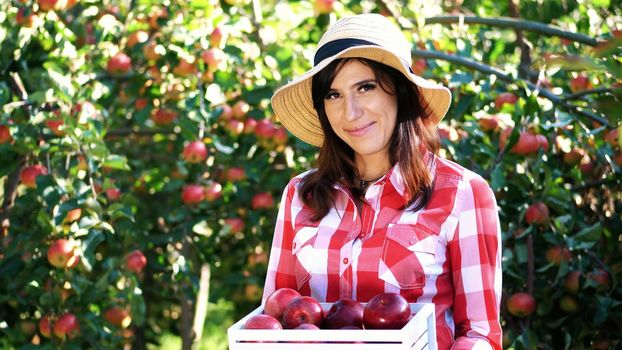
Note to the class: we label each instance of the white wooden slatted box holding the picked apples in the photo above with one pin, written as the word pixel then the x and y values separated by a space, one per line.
pixel 419 333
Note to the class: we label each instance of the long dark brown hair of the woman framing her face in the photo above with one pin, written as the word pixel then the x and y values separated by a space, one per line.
pixel 336 158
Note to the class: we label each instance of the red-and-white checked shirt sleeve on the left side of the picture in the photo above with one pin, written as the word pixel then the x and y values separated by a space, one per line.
pixel 281 263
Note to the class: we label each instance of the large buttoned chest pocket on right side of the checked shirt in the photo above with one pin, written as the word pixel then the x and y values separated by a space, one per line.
pixel 408 256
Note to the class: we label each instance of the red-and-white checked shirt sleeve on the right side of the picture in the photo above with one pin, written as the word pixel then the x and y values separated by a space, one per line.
pixel 475 257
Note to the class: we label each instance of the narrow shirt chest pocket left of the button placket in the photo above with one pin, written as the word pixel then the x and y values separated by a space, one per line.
pixel 303 251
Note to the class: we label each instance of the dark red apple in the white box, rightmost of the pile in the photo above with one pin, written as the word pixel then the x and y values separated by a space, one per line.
pixel 386 311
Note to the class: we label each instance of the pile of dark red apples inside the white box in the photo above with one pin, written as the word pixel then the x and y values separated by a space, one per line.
pixel 285 308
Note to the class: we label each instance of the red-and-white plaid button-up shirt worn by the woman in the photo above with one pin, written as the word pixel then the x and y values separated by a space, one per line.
pixel 448 253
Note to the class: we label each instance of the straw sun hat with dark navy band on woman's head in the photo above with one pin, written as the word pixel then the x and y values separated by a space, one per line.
pixel 370 36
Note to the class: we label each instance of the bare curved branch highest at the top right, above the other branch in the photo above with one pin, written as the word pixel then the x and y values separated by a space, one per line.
pixel 506 22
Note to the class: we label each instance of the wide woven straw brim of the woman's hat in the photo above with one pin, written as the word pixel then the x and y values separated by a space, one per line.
pixel 293 103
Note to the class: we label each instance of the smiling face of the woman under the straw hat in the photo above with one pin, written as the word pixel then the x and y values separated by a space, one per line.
pixel 360 111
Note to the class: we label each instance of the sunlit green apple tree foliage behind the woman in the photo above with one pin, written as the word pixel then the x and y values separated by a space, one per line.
pixel 113 140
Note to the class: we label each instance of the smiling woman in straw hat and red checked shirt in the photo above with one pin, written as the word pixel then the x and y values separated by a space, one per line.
pixel 382 213
